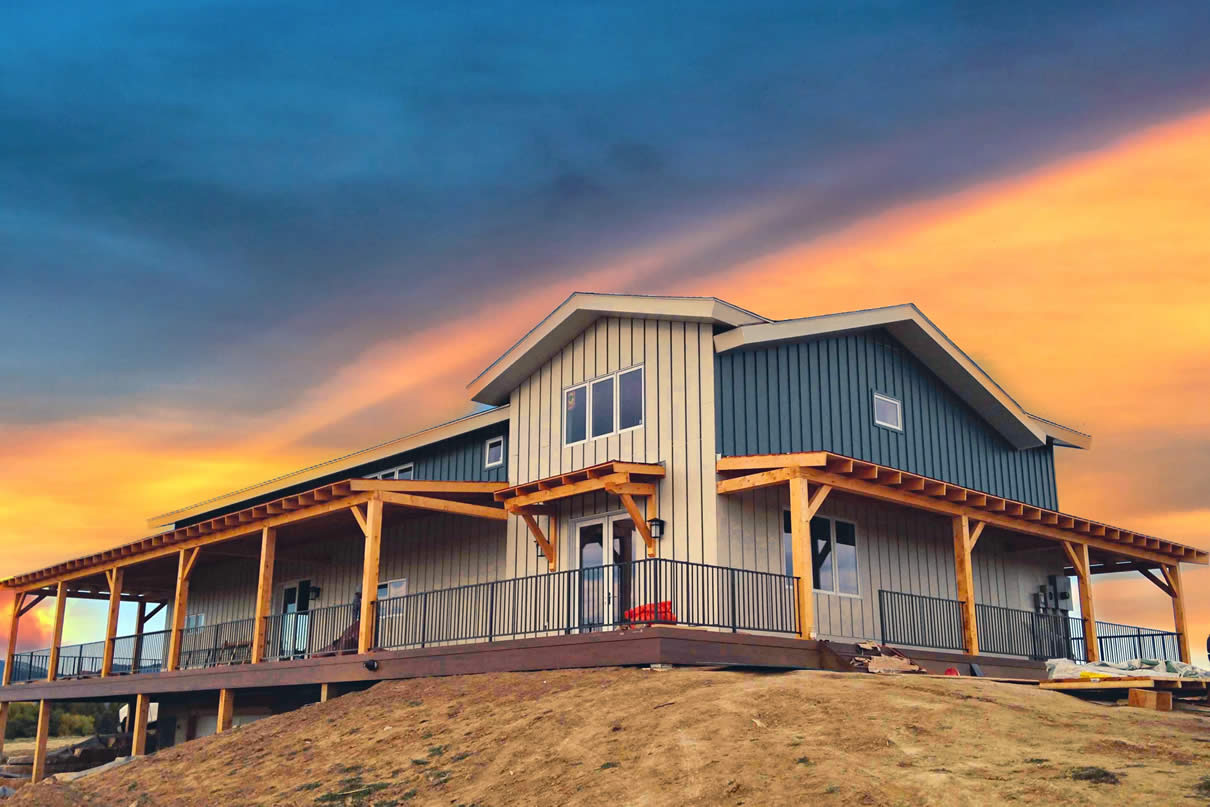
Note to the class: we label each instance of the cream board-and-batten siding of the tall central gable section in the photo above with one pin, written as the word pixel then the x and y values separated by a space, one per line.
pixel 678 431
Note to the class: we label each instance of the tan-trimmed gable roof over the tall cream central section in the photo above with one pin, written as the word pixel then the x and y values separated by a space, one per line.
pixel 580 310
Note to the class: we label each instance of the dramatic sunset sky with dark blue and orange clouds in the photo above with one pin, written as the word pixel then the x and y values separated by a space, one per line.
pixel 238 239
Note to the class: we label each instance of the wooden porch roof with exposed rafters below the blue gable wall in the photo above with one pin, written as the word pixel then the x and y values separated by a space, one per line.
pixel 889 485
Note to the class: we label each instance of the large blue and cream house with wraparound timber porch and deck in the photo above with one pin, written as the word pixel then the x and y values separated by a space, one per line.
pixel 648 480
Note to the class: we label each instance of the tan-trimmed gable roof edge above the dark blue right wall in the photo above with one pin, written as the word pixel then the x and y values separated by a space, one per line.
pixel 936 350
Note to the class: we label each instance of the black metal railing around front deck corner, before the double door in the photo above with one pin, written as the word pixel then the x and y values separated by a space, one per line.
pixel 643 592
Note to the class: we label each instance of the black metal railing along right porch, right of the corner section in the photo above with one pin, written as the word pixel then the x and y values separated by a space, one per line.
pixel 935 622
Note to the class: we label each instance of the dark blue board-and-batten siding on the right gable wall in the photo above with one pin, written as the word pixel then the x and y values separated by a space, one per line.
pixel 819 396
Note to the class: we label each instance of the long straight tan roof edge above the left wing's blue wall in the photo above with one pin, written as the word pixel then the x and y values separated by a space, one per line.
pixel 312 474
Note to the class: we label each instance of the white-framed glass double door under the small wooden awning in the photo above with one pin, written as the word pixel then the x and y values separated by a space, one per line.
pixel 607 546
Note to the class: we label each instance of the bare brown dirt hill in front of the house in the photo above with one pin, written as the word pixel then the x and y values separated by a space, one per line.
pixel 677 737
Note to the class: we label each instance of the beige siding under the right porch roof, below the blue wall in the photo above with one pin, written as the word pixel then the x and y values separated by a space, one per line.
pixel 898 550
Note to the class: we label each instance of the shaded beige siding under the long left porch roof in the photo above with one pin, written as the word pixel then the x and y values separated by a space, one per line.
pixel 433 552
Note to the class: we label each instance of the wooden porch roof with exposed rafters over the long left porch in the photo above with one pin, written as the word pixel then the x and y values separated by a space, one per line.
pixel 154 558
